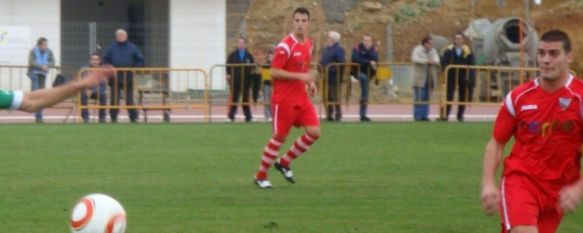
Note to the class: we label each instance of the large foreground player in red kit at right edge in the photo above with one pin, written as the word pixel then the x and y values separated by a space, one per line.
pixel 541 177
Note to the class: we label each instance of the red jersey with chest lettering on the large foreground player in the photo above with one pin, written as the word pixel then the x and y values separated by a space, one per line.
pixel 547 128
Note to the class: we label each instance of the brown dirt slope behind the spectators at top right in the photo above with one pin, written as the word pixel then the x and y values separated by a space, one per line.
pixel 268 21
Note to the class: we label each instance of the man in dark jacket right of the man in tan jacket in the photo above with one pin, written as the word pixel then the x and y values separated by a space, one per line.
pixel 458 54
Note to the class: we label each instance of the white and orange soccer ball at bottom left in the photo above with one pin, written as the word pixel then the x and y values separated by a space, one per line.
pixel 98 213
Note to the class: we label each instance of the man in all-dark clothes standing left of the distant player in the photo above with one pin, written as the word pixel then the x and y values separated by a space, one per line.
pixel 239 79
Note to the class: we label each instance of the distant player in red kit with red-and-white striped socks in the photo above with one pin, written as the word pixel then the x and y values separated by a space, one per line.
pixel 291 103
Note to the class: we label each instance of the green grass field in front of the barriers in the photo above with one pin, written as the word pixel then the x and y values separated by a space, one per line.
pixel 179 178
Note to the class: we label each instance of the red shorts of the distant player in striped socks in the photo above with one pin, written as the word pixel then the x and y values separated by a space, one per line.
pixel 287 115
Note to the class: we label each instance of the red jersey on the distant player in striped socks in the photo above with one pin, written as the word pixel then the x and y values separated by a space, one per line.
pixel 292 56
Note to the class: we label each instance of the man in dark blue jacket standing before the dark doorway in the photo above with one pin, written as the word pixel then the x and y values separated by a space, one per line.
pixel 123 54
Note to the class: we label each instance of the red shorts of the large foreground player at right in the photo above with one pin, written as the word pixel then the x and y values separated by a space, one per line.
pixel 525 204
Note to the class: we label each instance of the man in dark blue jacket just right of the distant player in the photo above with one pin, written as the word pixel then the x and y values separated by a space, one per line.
pixel 333 53
